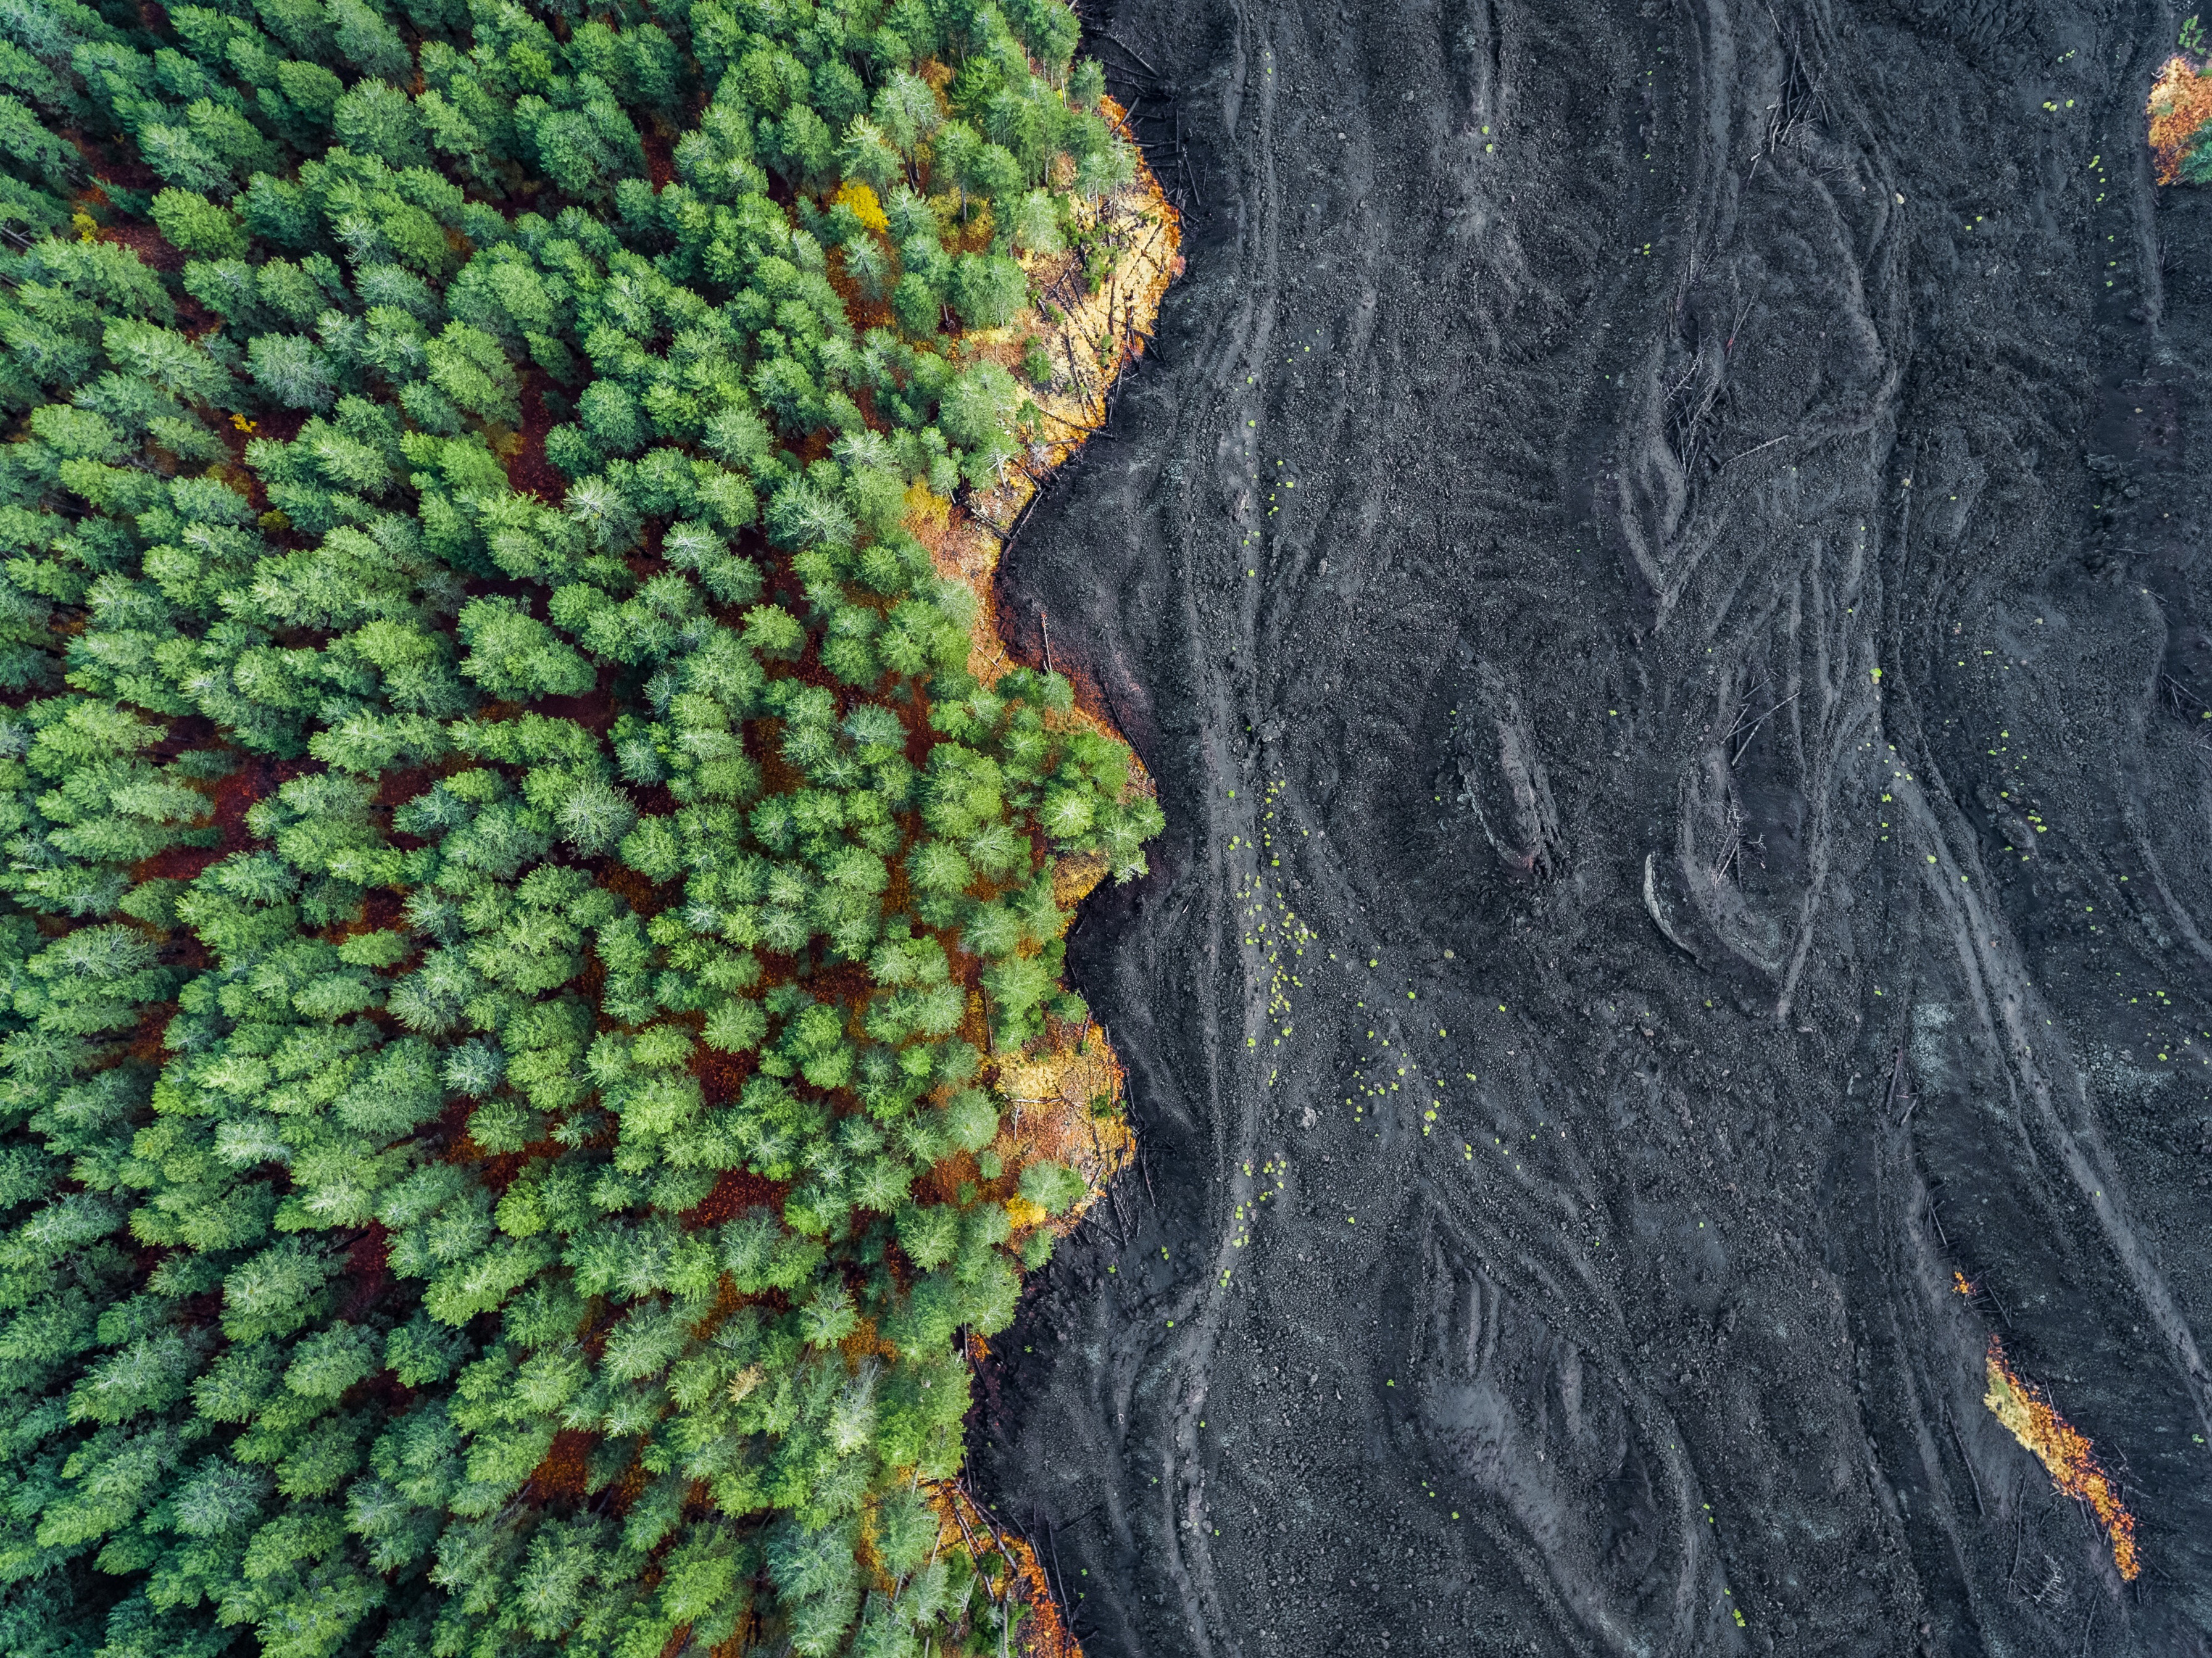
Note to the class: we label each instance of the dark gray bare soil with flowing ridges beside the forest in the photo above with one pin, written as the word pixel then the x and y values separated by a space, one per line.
pixel 1771 346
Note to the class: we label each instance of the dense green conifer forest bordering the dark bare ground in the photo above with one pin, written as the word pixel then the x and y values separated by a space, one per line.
pixel 514 901
